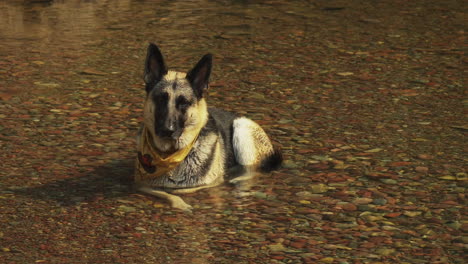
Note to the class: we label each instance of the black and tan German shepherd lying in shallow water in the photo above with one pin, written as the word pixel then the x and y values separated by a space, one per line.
pixel 183 145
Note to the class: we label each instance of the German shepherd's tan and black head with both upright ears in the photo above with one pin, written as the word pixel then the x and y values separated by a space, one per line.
pixel 175 110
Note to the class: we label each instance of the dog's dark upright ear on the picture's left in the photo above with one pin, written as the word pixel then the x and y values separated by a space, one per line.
pixel 155 68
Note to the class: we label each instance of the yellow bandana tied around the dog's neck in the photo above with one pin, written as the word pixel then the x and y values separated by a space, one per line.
pixel 150 164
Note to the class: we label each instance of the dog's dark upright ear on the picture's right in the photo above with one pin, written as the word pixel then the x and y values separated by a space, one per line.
pixel 199 76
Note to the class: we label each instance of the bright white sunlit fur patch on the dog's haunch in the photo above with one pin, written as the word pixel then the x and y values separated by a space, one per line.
pixel 243 141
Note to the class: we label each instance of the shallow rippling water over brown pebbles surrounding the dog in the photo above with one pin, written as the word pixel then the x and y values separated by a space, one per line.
pixel 363 97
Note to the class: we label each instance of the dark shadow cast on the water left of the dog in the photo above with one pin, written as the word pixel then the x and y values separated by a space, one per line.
pixel 107 181
